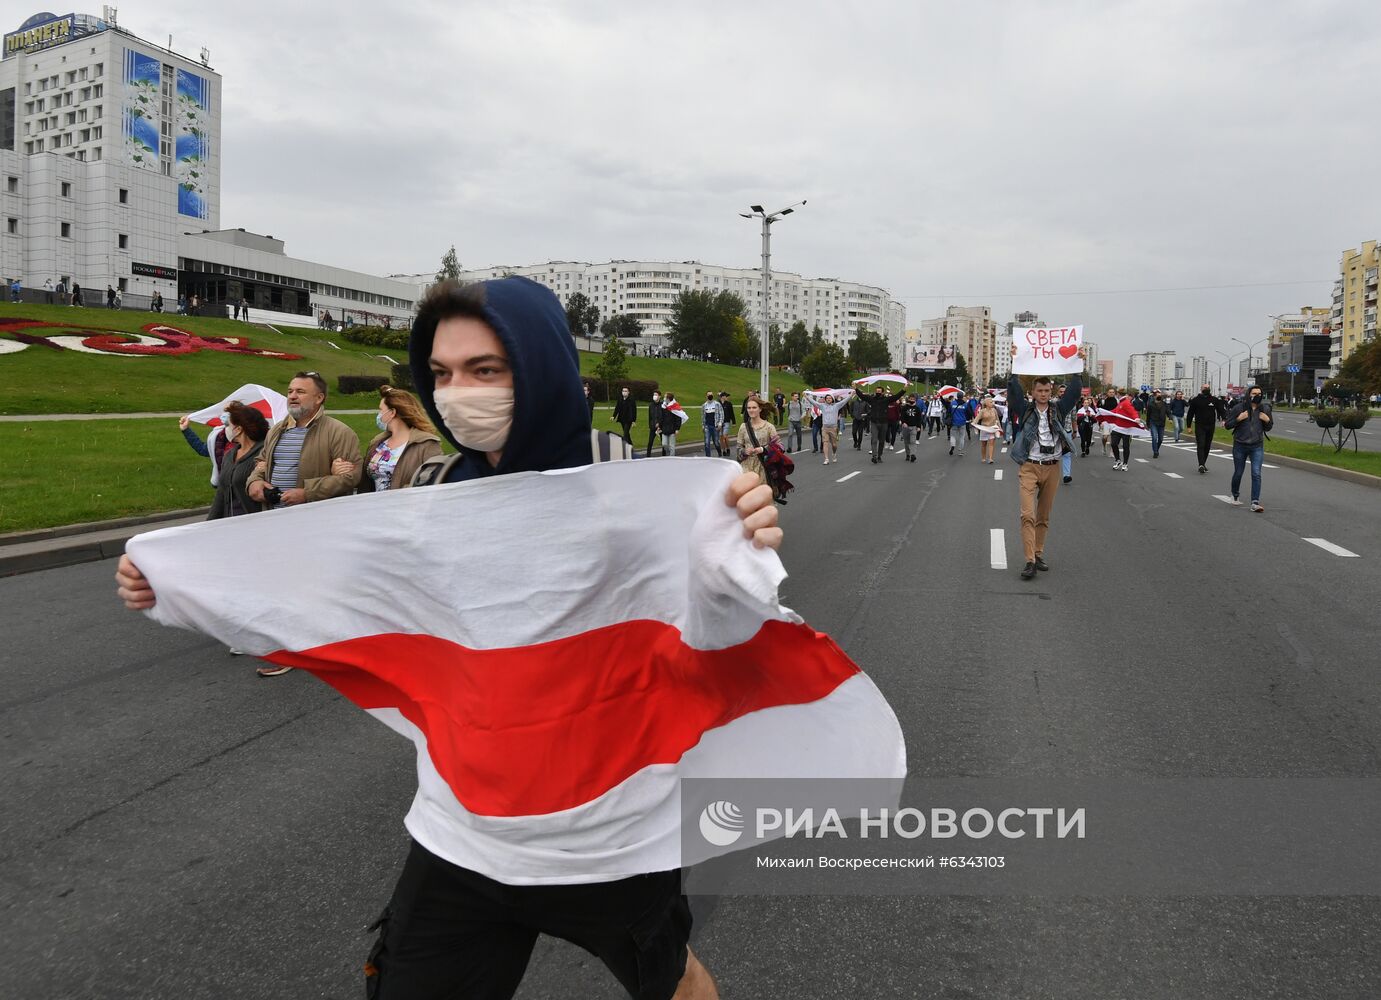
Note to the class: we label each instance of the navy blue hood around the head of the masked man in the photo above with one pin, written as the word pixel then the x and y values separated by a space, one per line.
pixel 552 419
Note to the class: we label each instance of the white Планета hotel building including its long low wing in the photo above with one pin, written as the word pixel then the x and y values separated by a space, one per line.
pixel 111 177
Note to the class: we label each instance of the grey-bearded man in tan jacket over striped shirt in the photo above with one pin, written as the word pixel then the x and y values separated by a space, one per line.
pixel 299 452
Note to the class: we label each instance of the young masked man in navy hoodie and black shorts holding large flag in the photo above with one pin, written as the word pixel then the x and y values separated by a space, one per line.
pixel 498 372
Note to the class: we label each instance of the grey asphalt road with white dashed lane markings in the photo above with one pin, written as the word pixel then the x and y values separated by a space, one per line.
pixel 177 828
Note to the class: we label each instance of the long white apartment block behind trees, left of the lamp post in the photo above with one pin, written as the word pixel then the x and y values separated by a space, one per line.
pixel 648 289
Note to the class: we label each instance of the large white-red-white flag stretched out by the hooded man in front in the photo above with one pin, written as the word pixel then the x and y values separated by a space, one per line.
pixel 560 651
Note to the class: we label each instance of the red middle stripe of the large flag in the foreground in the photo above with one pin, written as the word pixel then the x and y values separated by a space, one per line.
pixel 550 727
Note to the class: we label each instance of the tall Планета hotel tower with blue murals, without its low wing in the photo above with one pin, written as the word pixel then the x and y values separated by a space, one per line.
pixel 111 148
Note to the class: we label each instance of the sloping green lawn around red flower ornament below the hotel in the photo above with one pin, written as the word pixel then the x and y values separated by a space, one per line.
pixel 42 381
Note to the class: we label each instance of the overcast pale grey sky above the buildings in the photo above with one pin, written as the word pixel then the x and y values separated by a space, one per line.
pixel 984 154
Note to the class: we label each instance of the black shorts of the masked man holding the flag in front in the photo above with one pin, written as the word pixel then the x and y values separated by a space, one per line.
pixel 452 933
